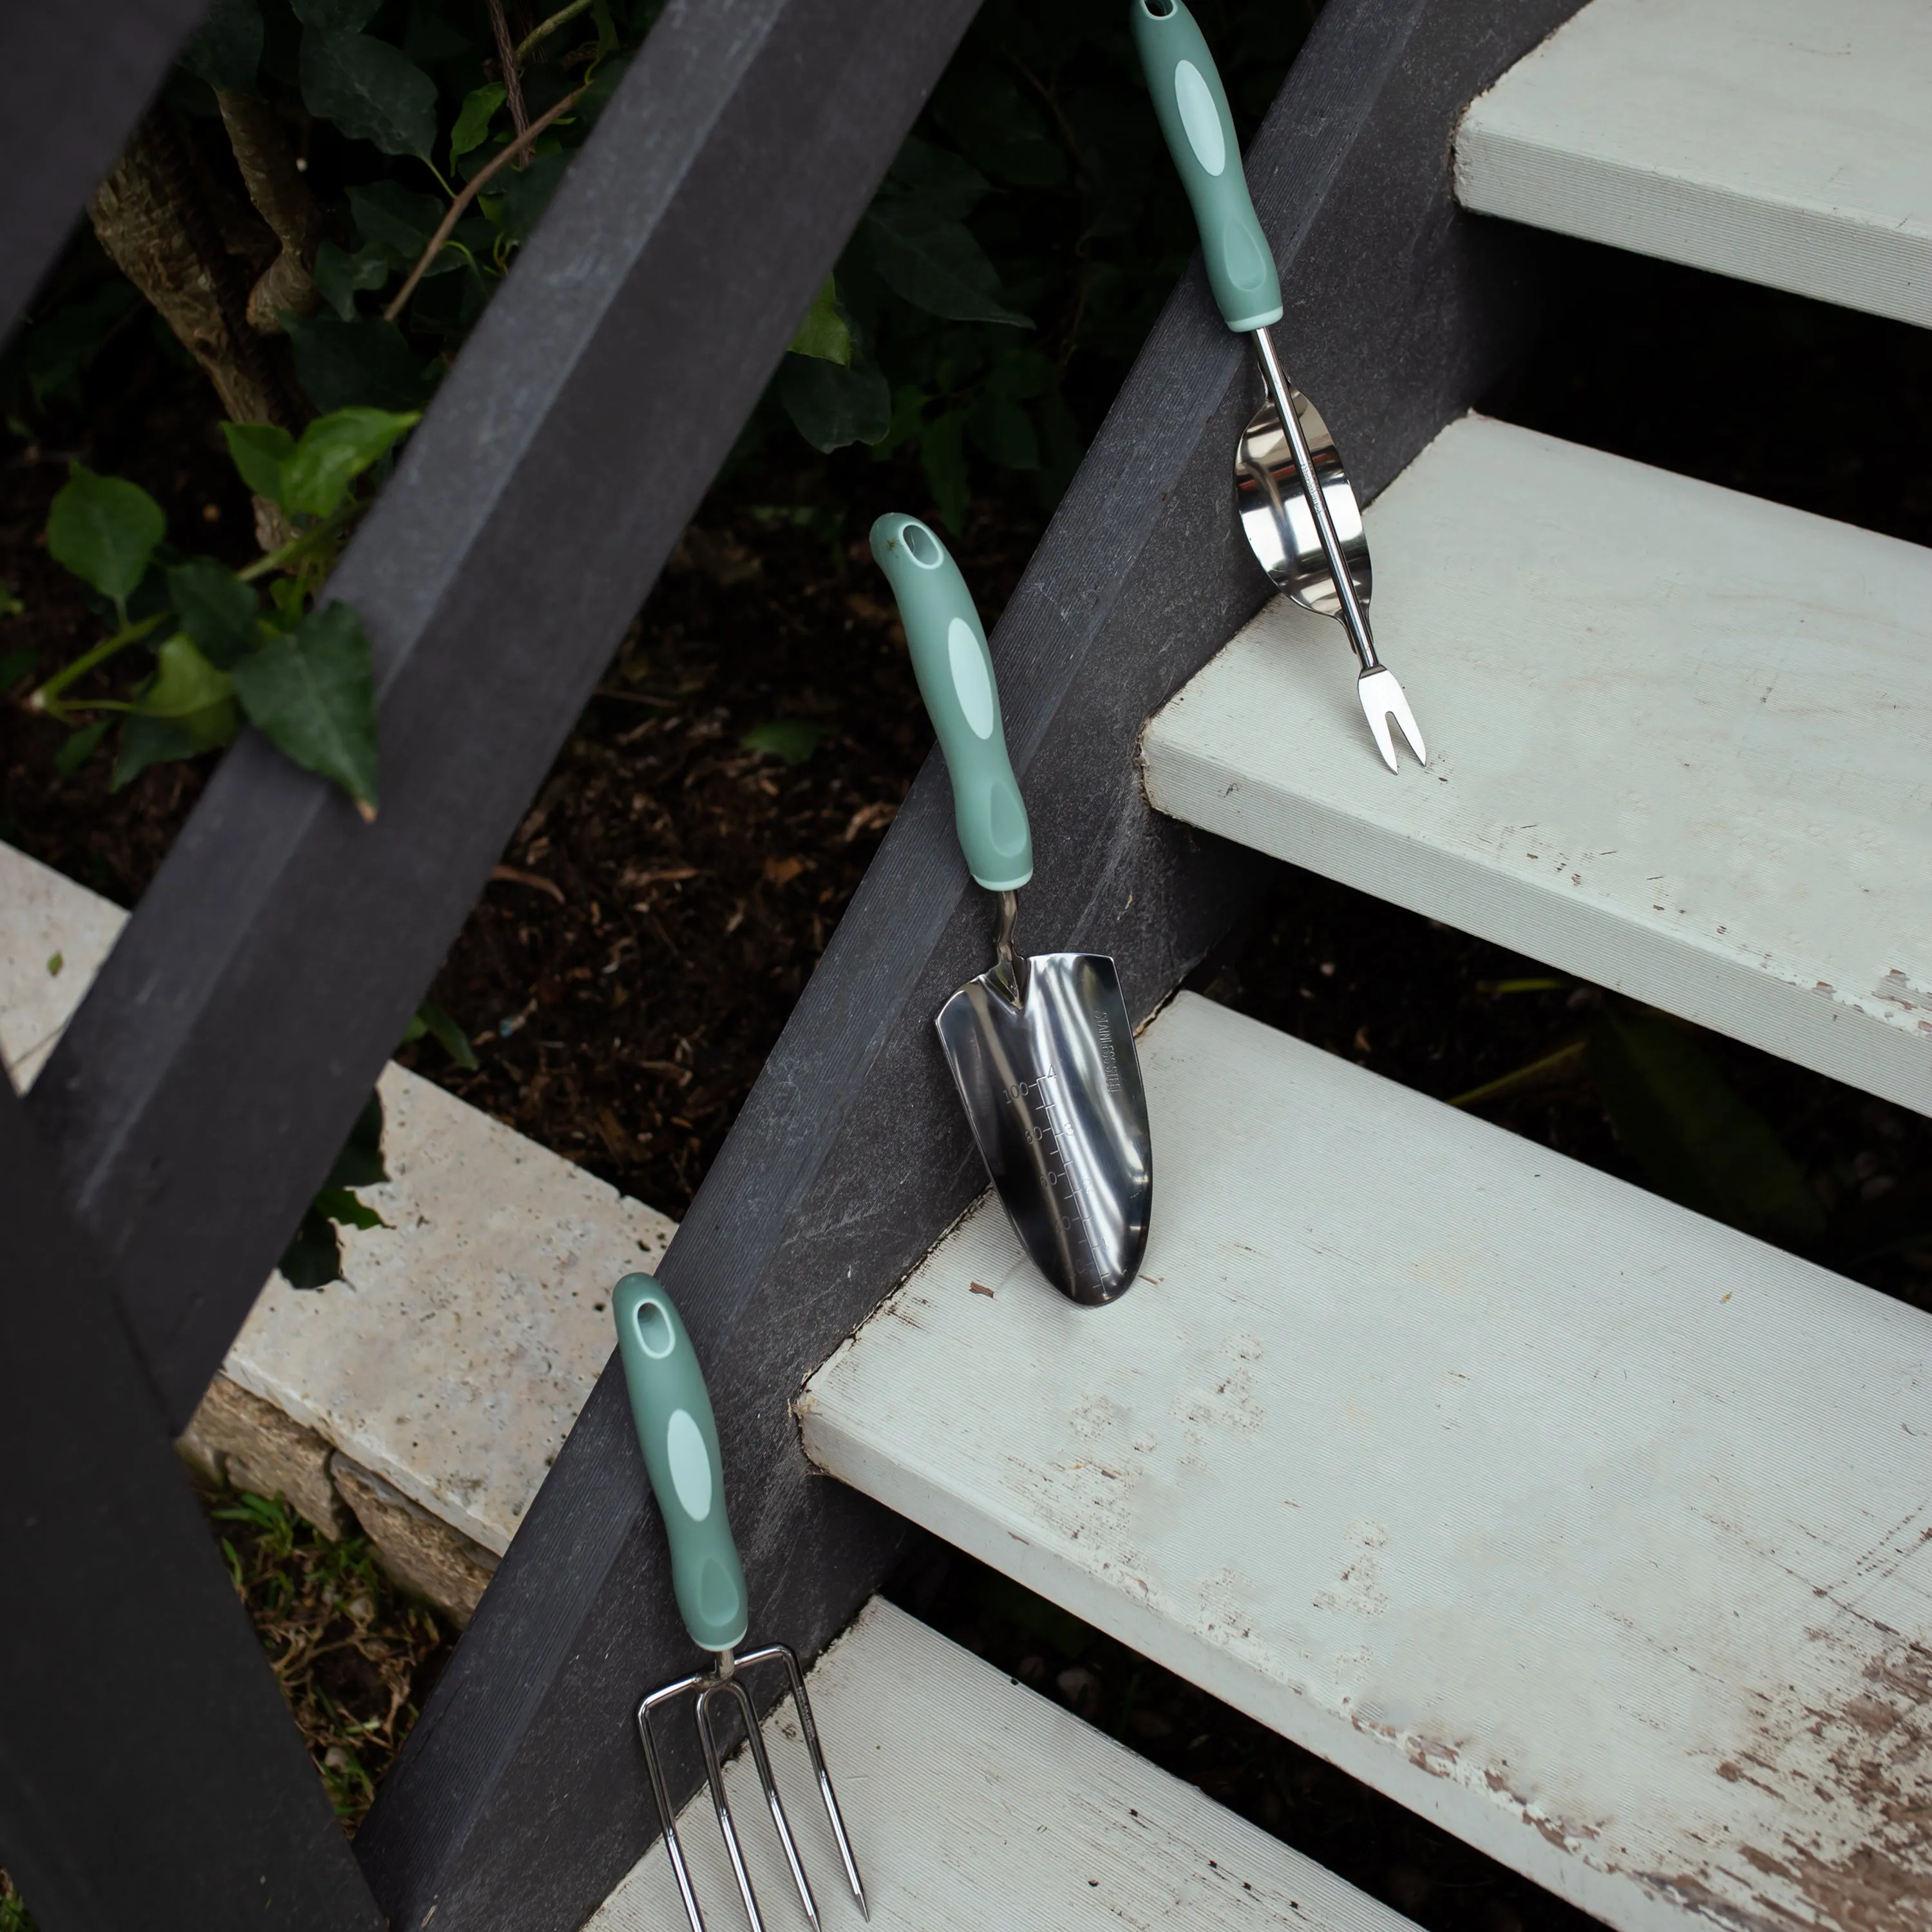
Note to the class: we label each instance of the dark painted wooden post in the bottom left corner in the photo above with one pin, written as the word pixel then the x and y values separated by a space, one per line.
pixel 150 1771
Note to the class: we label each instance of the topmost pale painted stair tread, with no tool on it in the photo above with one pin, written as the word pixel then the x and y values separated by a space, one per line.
pixel 1782 142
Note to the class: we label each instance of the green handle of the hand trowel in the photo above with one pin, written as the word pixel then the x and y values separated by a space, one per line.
pixel 955 675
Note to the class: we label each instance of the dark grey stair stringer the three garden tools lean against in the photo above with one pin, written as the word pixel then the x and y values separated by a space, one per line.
pixel 521 1798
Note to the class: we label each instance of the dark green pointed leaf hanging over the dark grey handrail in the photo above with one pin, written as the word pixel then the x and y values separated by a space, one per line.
pixel 312 693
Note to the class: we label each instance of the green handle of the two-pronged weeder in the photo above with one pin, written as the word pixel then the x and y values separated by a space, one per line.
pixel 1201 136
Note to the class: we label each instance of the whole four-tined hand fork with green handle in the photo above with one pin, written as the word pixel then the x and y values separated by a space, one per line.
pixel 681 1450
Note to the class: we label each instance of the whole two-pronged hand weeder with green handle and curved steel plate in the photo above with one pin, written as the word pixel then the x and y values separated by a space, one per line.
pixel 1297 507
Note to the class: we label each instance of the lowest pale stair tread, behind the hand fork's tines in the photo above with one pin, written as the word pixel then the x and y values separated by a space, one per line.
pixel 977 1805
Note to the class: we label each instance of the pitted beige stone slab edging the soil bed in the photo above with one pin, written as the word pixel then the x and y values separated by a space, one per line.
pixel 469 1334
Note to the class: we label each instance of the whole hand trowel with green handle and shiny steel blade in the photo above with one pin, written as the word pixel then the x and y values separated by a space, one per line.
pixel 1040 1048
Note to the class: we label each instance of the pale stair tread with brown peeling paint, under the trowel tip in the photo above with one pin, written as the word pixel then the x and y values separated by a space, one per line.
pixel 1591 1529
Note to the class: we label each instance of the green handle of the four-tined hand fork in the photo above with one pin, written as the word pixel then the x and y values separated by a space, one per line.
pixel 681 1450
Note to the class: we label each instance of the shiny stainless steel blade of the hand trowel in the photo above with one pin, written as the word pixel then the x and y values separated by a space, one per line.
pixel 1052 1087
